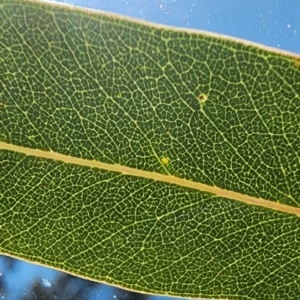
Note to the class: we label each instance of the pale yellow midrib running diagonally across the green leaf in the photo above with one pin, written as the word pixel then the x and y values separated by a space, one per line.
pixel 154 176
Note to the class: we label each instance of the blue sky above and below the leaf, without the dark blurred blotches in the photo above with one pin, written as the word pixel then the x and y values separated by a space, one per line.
pixel 273 23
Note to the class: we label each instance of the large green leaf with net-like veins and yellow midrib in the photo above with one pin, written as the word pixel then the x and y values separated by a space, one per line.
pixel 160 160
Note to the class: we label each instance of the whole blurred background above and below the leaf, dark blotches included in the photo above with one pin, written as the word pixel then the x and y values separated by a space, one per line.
pixel 270 22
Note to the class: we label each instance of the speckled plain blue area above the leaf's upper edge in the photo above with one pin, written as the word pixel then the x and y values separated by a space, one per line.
pixel 270 22
